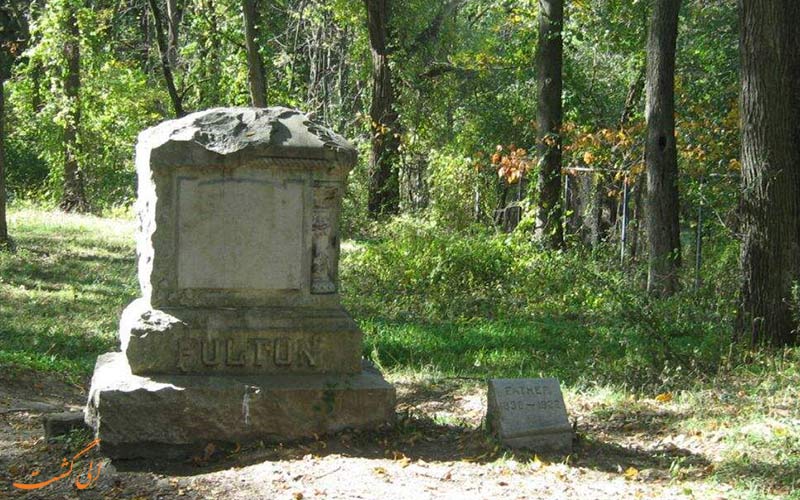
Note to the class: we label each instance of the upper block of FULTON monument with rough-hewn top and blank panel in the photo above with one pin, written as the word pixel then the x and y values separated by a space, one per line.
pixel 237 208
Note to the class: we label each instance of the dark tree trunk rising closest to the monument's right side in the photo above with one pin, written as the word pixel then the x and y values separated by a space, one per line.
pixel 384 187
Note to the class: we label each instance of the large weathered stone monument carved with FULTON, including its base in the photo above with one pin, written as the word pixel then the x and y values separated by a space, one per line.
pixel 239 334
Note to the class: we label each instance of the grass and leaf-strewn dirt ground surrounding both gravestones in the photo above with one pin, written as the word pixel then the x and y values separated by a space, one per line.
pixel 726 425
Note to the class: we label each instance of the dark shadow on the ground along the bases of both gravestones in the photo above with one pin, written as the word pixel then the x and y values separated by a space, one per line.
pixel 418 435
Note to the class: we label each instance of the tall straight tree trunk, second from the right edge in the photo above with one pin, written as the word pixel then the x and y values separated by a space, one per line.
pixel 663 229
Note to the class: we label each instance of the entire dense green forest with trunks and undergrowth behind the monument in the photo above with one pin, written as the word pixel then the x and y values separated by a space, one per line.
pixel 445 102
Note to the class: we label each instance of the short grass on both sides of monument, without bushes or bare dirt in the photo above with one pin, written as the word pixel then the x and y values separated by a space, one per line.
pixel 736 426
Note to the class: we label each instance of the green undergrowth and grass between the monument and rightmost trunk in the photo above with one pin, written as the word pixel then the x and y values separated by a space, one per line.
pixel 478 303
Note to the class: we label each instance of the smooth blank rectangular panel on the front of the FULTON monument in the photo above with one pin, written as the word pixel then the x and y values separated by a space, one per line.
pixel 240 230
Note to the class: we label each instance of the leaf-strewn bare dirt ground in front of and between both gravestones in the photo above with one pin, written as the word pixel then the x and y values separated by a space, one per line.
pixel 437 450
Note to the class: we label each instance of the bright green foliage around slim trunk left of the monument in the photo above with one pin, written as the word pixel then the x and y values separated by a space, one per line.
pixel 116 102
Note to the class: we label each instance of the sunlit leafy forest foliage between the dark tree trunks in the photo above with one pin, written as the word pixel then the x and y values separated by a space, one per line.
pixel 463 76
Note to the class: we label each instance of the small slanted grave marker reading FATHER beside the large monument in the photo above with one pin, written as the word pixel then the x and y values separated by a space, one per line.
pixel 529 413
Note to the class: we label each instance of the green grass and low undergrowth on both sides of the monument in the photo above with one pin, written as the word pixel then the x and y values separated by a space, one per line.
pixel 62 292
